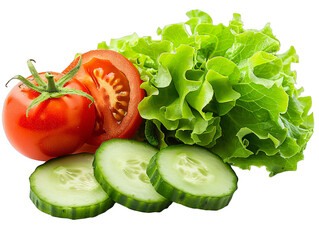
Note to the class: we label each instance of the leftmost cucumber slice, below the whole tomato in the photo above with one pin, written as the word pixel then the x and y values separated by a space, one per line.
pixel 65 187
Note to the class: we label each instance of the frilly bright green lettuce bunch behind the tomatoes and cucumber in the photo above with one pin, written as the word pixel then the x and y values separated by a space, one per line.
pixel 224 88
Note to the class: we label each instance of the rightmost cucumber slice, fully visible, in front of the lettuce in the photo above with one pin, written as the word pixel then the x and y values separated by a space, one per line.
pixel 192 176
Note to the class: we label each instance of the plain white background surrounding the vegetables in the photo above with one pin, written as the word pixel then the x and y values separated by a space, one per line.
pixel 51 32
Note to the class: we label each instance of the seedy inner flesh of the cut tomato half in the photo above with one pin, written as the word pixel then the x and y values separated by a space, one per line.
pixel 110 90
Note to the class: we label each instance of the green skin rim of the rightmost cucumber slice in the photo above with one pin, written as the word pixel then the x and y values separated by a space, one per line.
pixel 176 195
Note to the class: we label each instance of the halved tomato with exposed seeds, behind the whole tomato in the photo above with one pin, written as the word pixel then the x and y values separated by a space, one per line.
pixel 114 82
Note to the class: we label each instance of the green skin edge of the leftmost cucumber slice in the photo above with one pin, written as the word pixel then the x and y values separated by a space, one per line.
pixel 71 212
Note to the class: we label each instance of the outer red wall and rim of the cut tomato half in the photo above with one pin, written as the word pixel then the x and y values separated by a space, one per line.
pixel 132 120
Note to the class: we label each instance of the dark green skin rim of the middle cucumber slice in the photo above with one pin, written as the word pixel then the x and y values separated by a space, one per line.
pixel 123 199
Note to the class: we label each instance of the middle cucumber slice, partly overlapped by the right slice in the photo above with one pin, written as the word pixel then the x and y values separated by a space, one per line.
pixel 120 167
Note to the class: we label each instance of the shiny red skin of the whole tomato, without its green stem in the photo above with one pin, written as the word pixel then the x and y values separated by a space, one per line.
pixel 53 128
